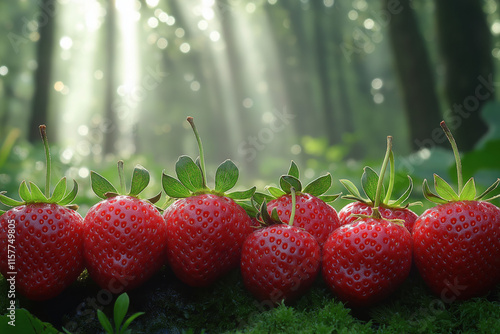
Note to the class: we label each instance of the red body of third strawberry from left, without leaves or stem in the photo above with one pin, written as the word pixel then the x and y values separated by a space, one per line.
pixel 205 235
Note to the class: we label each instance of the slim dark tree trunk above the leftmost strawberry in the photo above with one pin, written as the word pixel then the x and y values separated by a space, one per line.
pixel 43 74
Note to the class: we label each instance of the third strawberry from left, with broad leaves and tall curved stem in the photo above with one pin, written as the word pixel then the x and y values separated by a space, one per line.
pixel 206 227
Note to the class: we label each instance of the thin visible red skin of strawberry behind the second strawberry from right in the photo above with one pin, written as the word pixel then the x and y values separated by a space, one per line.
pixel 346 214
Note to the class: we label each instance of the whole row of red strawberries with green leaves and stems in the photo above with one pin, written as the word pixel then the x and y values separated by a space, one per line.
pixel 281 240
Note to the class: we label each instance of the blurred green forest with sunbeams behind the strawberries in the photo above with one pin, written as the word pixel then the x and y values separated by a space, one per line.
pixel 321 82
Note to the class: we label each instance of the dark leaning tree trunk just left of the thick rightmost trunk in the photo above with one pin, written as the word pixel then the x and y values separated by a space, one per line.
pixel 415 73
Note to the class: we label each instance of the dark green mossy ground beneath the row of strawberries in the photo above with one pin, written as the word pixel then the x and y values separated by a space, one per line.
pixel 172 307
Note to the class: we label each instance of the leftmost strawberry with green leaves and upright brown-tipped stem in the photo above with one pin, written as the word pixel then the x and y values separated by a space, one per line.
pixel 41 242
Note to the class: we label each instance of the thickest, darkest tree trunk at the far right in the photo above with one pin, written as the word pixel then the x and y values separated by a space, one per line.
pixel 465 47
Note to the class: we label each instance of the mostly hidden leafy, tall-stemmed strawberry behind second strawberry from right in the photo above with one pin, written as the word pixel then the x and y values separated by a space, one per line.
pixel 390 209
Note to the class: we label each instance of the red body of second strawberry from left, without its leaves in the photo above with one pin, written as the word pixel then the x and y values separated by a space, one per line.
pixel 125 242
